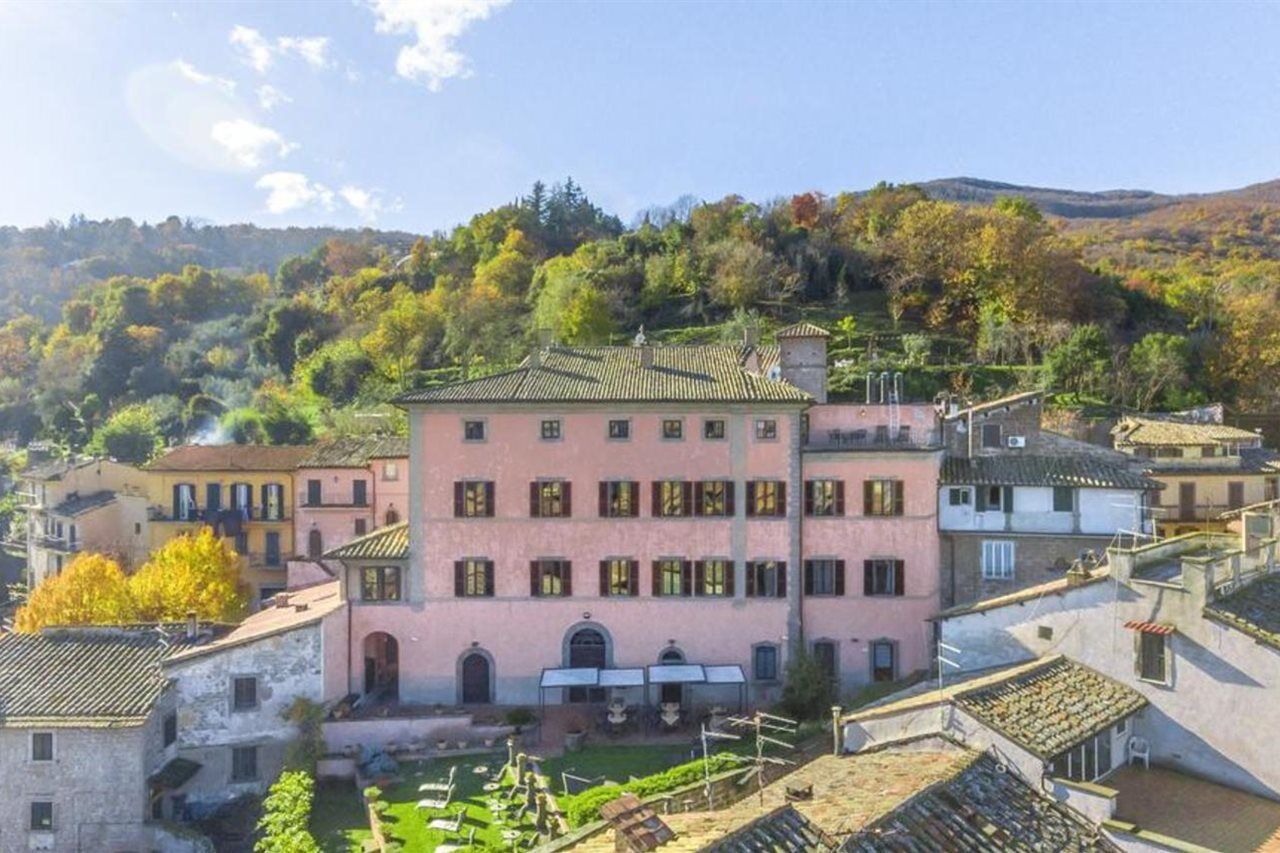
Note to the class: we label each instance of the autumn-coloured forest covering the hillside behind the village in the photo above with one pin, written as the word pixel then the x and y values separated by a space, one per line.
pixel 121 339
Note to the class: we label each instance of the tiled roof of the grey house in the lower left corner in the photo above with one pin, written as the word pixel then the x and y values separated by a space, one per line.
pixel 90 677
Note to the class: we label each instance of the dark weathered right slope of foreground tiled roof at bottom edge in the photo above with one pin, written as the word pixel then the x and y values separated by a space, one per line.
pixel 982 809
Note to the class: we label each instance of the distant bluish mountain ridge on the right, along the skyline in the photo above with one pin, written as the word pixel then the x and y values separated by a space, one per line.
pixel 1075 204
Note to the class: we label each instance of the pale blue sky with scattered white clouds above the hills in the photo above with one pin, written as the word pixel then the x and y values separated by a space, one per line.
pixel 415 116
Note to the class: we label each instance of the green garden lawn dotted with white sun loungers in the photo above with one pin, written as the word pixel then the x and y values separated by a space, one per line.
pixel 340 825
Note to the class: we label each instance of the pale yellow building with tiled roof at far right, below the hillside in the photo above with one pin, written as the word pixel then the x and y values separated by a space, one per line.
pixel 1205 466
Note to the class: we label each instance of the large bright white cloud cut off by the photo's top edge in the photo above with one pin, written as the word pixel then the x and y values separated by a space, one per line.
pixel 436 25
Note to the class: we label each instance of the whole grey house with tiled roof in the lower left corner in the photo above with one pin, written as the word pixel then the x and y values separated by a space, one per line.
pixel 88 740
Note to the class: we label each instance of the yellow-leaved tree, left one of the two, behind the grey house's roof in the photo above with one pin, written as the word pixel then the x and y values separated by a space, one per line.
pixel 90 591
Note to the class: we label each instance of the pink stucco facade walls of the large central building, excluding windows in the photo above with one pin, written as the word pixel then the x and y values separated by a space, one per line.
pixel 519 635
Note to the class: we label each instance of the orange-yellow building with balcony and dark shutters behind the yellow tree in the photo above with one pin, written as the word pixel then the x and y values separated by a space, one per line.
pixel 244 491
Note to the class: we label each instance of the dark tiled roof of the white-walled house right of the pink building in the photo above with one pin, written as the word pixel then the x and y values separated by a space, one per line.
pixel 1078 471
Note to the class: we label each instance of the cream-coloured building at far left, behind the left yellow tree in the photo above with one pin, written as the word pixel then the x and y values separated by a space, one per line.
pixel 83 505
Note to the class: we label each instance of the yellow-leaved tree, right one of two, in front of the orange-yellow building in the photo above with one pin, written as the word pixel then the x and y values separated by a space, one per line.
pixel 190 573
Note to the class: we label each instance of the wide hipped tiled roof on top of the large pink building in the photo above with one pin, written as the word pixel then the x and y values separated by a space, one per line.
pixel 707 373
